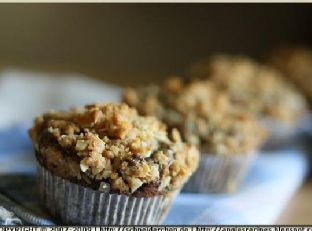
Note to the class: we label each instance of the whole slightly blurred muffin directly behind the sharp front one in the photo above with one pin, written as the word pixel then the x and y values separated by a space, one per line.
pixel 227 139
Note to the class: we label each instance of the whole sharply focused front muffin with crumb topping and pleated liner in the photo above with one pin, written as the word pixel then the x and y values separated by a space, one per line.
pixel 106 165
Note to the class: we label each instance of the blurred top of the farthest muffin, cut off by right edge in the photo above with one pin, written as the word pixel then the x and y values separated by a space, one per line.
pixel 296 64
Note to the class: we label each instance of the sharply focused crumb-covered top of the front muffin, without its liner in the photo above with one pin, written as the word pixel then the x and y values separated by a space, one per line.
pixel 111 148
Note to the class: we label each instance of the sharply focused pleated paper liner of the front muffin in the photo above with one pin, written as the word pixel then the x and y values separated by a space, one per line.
pixel 78 205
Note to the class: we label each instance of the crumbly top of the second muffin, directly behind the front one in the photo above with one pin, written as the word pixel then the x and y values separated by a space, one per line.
pixel 201 112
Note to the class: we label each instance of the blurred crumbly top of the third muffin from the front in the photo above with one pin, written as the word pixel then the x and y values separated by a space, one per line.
pixel 257 89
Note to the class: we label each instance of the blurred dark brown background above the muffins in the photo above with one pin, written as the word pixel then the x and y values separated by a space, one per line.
pixel 138 43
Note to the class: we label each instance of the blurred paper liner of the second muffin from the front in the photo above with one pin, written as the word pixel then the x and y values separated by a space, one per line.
pixel 219 173
